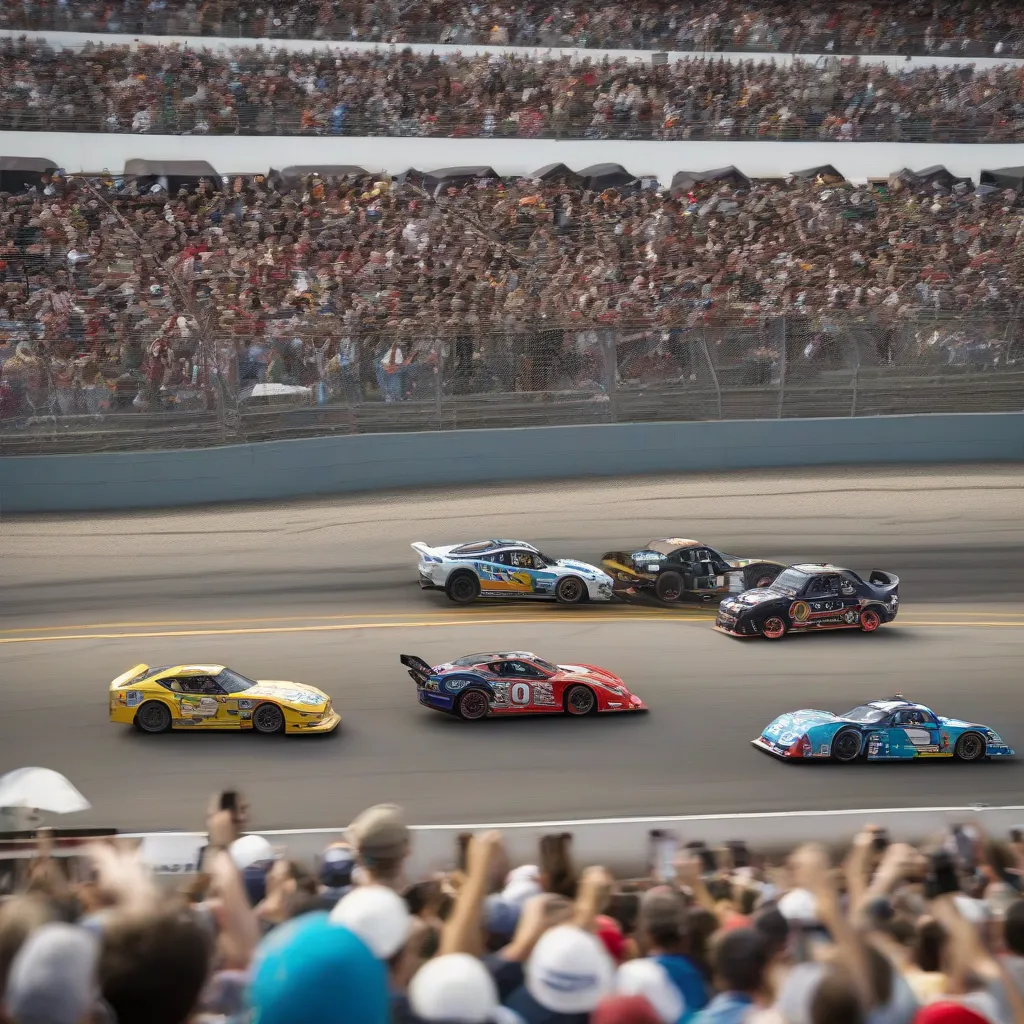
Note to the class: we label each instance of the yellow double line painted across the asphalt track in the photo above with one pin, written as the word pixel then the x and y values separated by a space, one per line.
pixel 439 623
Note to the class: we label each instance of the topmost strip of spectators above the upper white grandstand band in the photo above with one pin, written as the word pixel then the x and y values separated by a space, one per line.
pixel 960 27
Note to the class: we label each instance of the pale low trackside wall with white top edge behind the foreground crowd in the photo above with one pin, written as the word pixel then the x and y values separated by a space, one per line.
pixel 621 844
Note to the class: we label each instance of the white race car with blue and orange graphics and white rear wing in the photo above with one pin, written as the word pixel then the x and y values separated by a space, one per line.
pixel 508 569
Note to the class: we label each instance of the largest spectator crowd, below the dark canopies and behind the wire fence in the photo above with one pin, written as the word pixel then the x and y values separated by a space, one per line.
pixel 109 288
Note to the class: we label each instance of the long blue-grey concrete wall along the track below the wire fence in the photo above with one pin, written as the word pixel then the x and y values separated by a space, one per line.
pixel 275 471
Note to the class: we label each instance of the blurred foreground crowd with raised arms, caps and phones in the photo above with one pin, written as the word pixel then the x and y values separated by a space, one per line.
pixel 889 935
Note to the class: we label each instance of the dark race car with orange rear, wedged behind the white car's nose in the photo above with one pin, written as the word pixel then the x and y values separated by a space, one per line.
pixel 676 569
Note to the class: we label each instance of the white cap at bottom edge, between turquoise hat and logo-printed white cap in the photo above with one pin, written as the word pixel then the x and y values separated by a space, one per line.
pixel 456 989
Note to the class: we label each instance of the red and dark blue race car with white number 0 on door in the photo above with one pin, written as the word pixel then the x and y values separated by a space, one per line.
pixel 518 684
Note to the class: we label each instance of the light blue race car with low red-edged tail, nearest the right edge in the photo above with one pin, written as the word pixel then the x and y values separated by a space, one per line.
pixel 880 731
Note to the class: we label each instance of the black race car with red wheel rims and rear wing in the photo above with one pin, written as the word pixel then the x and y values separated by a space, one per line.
pixel 809 599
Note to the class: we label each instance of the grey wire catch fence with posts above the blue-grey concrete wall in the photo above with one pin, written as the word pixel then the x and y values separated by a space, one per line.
pixel 775 367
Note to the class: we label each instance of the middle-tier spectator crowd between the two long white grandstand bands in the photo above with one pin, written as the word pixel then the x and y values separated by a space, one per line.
pixel 254 92
